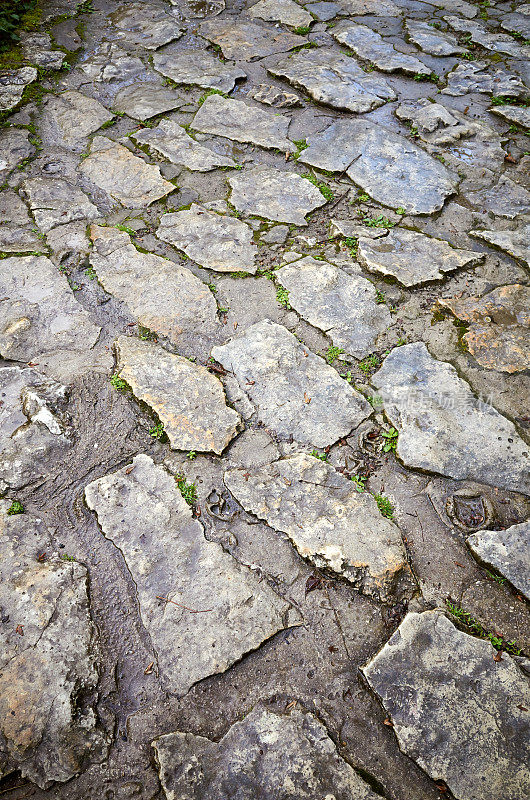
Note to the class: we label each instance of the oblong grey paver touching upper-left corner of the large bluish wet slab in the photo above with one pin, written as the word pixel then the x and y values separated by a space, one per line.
pixel 233 119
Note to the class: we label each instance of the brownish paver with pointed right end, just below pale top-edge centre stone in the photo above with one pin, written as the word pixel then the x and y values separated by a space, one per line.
pixel 244 41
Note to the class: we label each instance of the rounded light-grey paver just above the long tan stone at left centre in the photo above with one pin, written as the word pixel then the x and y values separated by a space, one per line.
pixel 215 241
